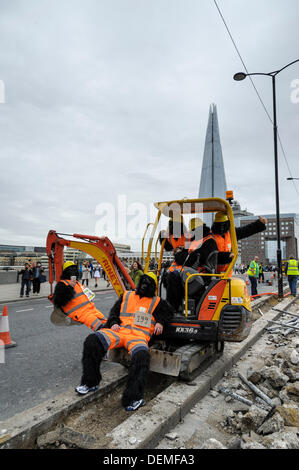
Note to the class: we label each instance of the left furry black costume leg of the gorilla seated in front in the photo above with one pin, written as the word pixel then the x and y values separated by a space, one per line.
pixel 93 353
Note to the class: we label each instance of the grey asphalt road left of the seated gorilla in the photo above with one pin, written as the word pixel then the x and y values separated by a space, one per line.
pixel 47 358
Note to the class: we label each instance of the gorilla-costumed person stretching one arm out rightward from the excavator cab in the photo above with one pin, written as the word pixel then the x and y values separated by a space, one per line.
pixel 221 232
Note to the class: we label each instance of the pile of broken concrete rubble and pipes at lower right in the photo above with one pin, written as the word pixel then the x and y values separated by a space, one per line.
pixel 268 416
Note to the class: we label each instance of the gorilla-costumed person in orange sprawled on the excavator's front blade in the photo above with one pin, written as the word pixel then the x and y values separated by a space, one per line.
pixel 133 320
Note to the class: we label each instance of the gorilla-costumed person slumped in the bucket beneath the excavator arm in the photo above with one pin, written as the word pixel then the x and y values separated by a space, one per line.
pixel 73 301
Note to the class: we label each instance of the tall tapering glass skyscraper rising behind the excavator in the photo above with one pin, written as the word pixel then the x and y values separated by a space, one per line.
pixel 212 181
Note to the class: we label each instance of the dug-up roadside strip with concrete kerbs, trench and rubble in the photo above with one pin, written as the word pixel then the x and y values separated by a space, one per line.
pixel 247 398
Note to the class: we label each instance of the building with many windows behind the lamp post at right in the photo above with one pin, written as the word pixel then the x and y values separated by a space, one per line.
pixel 264 244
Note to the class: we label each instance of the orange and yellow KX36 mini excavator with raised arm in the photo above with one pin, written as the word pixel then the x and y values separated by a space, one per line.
pixel 201 327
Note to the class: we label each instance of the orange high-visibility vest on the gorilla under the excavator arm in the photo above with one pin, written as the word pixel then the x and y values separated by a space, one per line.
pixel 81 309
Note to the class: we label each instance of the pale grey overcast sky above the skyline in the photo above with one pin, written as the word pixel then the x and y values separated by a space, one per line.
pixel 111 97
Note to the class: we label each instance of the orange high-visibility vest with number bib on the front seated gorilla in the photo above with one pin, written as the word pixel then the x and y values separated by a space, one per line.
pixel 133 304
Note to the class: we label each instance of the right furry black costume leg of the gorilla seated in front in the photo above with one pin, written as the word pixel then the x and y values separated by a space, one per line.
pixel 137 377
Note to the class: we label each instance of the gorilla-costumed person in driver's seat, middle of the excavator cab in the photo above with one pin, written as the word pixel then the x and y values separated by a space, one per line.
pixel 200 254
